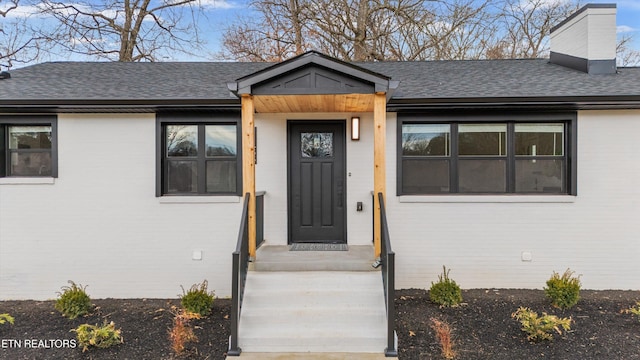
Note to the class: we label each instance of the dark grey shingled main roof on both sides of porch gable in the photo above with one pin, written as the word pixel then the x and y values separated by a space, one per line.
pixel 424 82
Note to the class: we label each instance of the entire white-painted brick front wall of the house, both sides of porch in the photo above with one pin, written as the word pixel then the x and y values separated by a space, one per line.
pixel 101 225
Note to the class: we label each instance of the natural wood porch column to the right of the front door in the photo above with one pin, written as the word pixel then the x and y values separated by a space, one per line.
pixel 379 165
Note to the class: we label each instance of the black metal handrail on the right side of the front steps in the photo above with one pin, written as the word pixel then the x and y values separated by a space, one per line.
pixel 387 258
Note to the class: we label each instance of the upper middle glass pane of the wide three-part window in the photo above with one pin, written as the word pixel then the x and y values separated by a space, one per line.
pixel 482 139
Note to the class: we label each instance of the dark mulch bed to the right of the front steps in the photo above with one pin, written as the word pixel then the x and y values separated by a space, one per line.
pixel 482 327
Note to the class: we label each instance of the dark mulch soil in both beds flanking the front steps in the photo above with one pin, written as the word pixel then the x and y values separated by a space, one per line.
pixel 482 328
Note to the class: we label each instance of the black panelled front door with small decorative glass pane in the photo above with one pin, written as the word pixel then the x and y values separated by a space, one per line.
pixel 317 181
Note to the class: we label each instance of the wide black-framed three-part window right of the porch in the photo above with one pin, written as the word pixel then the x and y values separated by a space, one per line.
pixel 532 154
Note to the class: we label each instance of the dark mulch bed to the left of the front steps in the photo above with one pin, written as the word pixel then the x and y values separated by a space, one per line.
pixel 145 325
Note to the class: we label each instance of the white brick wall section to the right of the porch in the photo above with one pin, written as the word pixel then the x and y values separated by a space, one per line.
pixel 595 234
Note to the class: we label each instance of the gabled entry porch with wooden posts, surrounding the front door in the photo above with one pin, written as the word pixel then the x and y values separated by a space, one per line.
pixel 293 104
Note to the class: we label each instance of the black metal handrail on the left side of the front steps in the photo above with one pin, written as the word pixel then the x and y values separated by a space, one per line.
pixel 239 277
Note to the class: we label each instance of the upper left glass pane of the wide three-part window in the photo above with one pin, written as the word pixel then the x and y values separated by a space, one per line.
pixel 426 139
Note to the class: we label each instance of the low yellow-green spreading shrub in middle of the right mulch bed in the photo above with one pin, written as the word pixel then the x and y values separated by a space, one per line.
pixel 540 327
